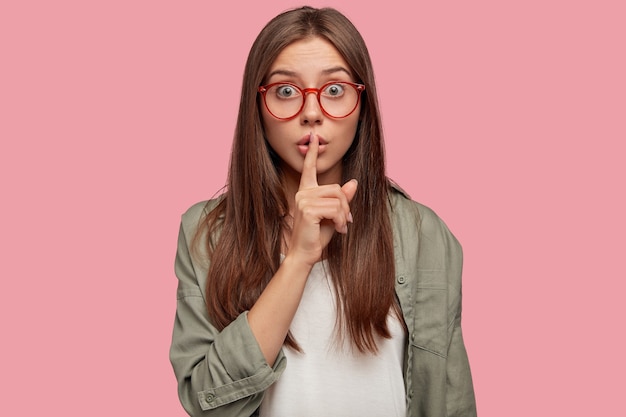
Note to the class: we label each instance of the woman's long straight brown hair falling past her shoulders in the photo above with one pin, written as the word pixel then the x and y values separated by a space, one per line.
pixel 245 230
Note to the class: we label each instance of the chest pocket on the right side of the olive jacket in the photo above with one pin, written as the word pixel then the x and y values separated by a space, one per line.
pixel 430 331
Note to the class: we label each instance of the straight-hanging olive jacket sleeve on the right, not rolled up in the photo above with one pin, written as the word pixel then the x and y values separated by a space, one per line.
pixel 440 263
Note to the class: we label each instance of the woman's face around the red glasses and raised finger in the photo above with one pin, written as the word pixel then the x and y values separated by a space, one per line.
pixel 310 63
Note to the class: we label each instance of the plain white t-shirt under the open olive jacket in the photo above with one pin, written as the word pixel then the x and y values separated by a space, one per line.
pixel 332 380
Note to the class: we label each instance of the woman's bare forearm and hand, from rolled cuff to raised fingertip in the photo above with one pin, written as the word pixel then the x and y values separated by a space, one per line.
pixel 319 212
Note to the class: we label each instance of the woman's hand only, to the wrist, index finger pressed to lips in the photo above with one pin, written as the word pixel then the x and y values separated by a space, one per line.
pixel 319 211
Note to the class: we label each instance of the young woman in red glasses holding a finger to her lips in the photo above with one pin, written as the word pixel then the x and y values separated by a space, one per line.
pixel 313 286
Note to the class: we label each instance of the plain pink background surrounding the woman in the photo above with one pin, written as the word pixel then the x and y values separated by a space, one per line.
pixel 507 118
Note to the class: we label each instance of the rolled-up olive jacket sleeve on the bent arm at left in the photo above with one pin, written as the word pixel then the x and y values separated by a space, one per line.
pixel 219 373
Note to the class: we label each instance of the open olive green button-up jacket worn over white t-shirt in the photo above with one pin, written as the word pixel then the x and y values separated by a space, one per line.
pixel 225 374
